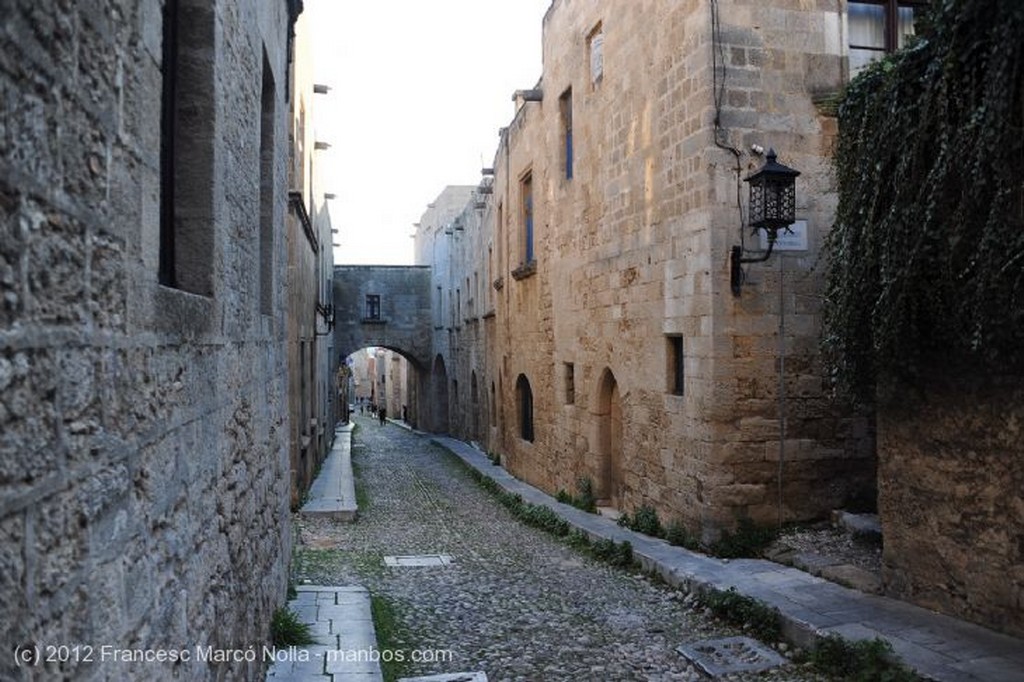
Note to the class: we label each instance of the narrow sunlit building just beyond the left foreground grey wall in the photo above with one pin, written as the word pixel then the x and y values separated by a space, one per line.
pixel 312 365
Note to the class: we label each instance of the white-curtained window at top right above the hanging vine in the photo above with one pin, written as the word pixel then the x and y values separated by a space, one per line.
pixel 879 27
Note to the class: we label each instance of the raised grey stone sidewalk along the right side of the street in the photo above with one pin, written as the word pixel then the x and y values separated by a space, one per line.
pixel 938 648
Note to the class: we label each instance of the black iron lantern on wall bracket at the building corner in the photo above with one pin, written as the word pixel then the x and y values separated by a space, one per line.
pixel 774 207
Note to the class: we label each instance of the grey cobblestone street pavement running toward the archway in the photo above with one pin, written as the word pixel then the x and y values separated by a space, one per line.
pixel 517 603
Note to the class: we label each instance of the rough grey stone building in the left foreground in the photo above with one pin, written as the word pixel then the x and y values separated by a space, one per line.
pixel 144 424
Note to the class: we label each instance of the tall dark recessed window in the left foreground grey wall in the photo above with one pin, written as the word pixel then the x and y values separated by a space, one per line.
pixel 186 260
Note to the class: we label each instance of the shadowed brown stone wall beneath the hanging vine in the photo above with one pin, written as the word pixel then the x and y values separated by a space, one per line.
pixel 951 483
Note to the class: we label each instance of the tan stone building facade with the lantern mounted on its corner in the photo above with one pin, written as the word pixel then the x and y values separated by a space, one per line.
pixel 617 351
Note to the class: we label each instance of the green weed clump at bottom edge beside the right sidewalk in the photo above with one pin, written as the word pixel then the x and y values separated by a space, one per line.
pixel 865 661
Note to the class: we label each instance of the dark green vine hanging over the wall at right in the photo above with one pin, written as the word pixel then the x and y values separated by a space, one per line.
pixel 926 260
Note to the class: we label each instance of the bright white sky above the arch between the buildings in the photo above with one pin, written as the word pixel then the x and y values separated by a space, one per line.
pixel 419 91
